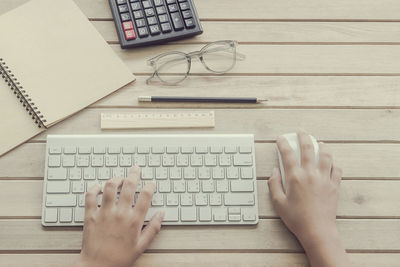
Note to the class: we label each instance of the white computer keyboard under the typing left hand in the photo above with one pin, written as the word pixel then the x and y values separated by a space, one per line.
pixel 201 179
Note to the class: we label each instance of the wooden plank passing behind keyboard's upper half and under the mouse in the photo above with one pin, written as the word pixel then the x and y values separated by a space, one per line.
pixel 365 161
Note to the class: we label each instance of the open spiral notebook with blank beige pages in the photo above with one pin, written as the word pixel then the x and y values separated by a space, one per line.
pixel 53 63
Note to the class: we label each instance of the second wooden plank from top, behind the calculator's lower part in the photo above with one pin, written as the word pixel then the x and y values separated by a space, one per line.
pixel 283 32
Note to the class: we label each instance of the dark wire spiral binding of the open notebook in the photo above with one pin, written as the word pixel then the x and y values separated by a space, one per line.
pixel 21 94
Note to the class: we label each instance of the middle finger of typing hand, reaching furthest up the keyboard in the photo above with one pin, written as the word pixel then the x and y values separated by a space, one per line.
pixel 129 187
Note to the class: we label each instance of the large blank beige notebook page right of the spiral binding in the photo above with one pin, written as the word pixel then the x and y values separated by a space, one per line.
pixel 59 57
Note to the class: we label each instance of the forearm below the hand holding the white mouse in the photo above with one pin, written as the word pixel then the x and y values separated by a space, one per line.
pixel 325 250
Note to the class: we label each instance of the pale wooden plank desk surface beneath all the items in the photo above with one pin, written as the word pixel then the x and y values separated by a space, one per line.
pixel 331 67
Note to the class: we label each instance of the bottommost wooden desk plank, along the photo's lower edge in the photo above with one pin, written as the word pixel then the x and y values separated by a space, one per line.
pixel 203 259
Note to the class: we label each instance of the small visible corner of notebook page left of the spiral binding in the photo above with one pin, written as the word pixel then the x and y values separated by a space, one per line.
pixel 16 125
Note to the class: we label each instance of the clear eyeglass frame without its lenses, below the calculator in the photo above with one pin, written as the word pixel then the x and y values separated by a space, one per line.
pixel 199 53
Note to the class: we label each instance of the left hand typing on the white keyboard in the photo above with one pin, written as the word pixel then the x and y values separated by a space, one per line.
pixel 112 233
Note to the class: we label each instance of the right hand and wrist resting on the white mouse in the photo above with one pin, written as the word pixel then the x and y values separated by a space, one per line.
pixel 308 207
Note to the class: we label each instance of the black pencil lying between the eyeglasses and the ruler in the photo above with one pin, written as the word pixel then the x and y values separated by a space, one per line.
pixel 190 99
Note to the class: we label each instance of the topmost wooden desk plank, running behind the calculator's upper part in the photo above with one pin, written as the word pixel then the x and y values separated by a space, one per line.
pixel 263 9
